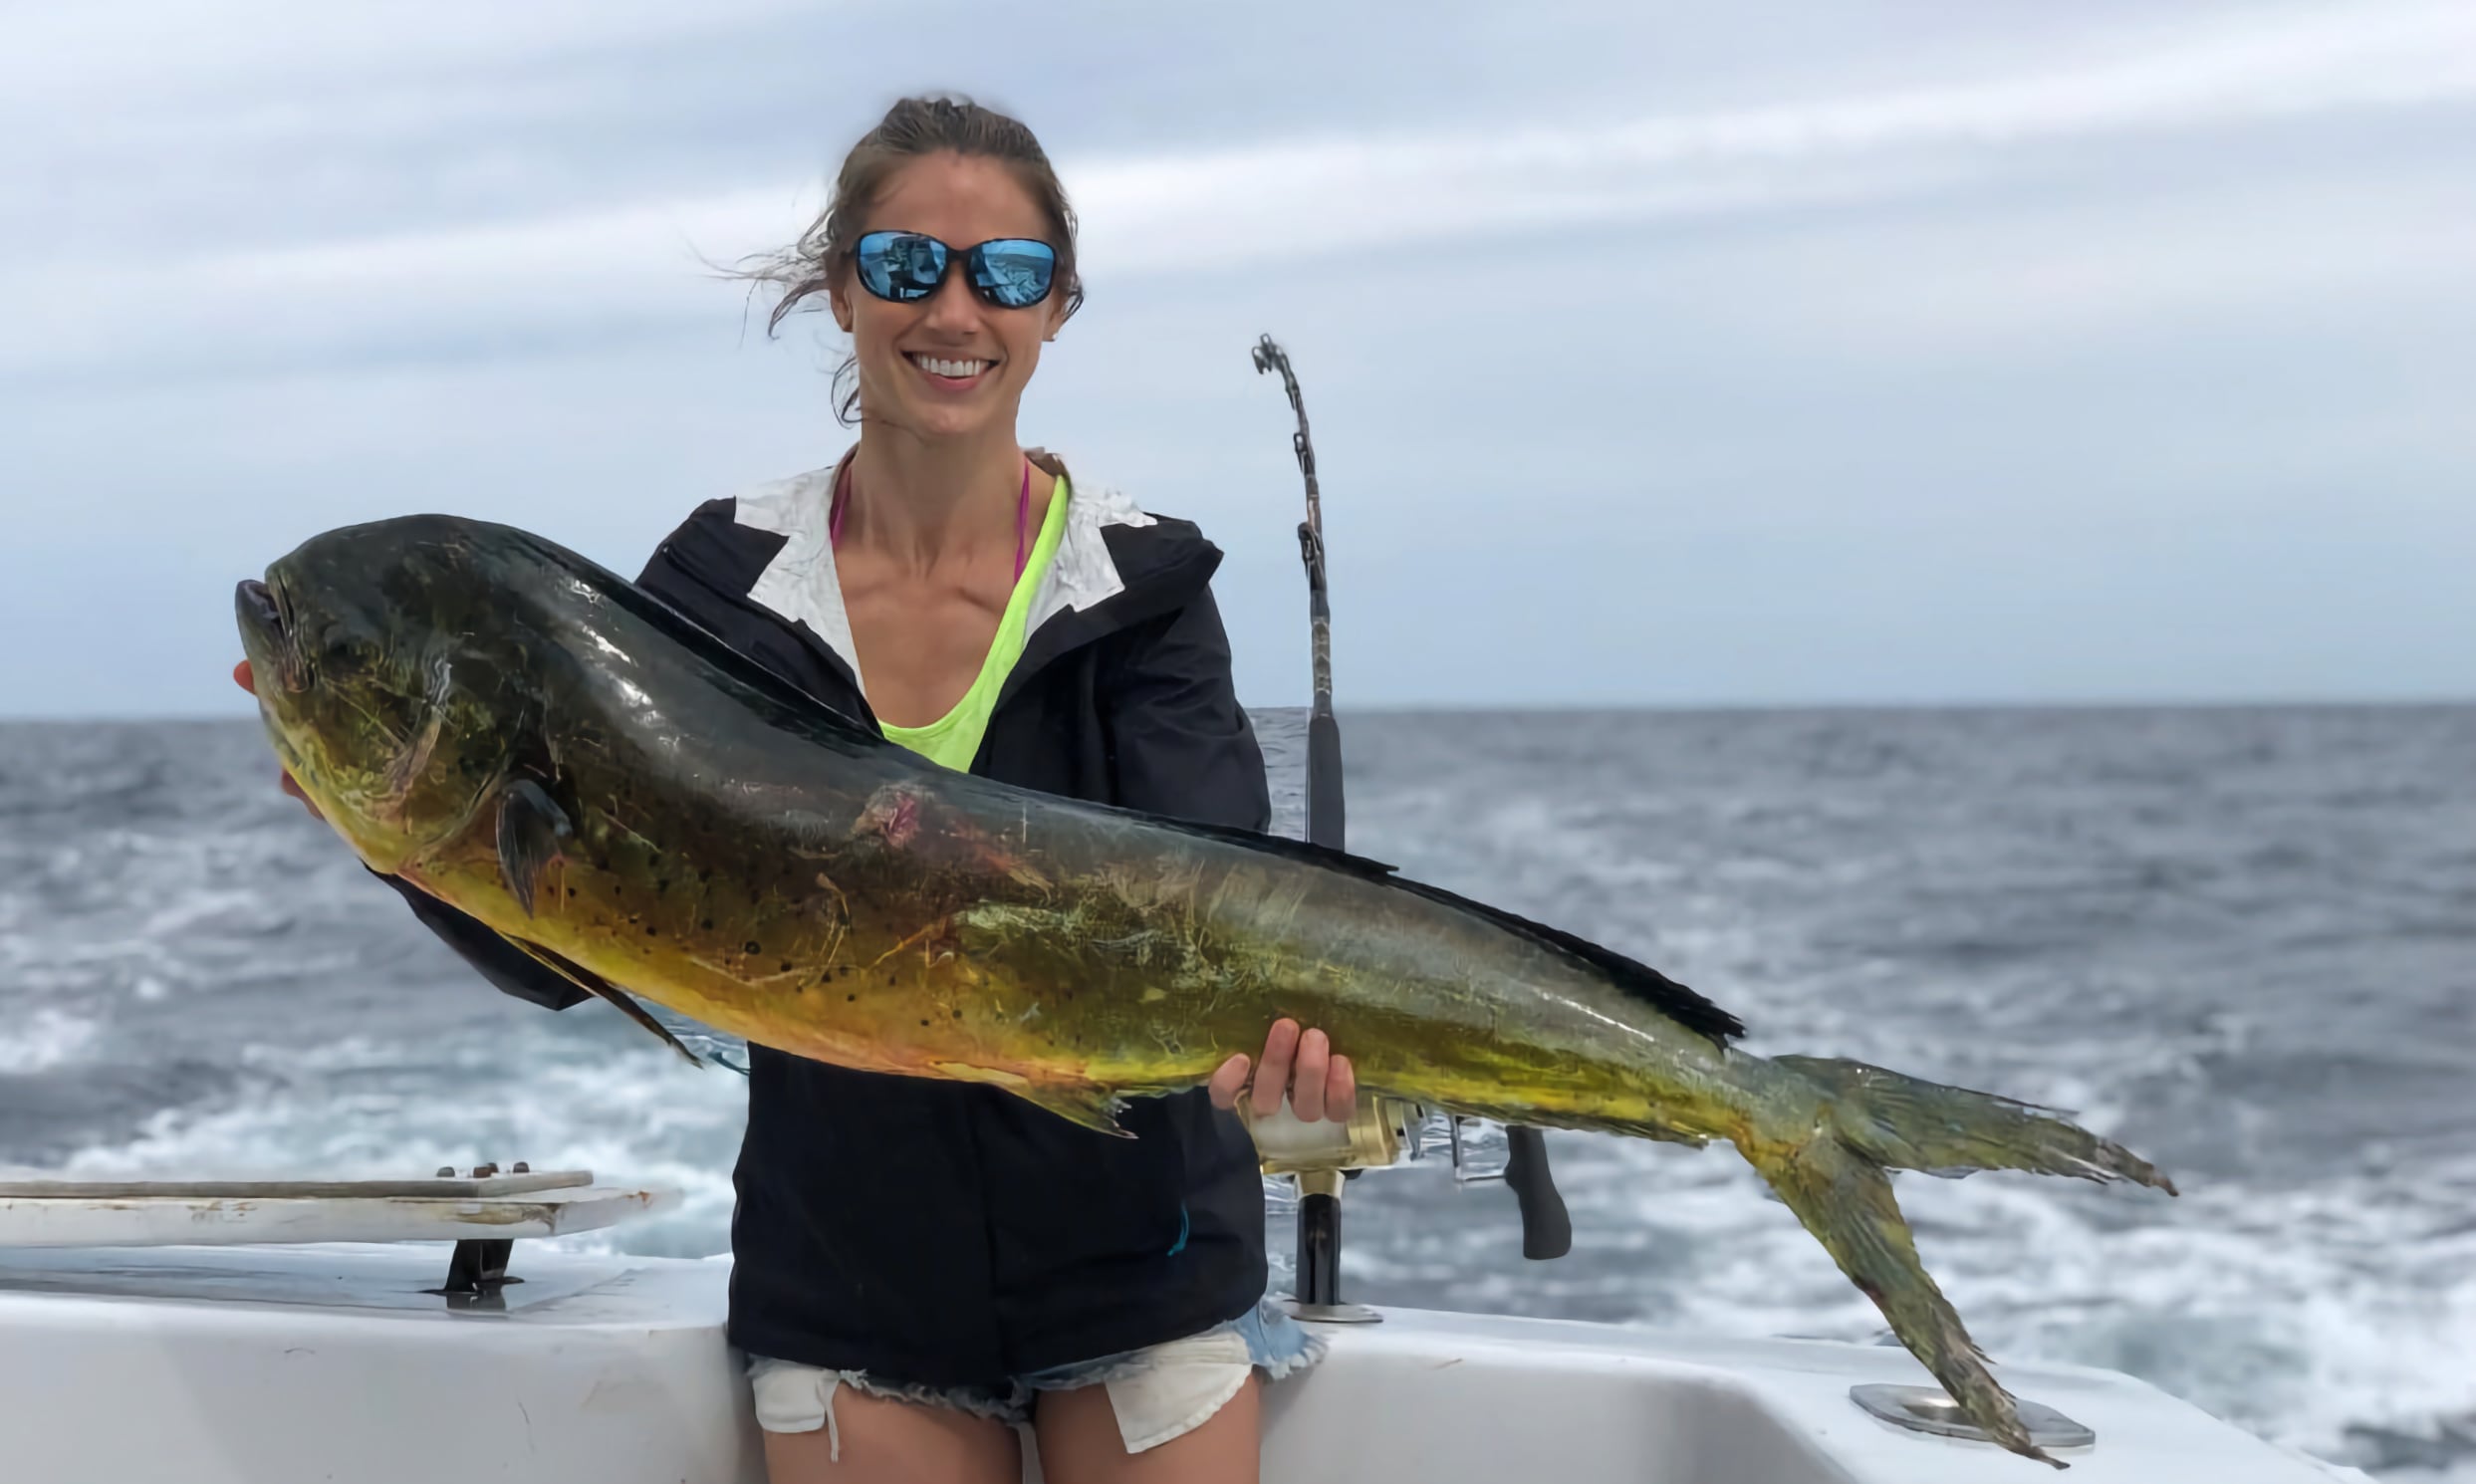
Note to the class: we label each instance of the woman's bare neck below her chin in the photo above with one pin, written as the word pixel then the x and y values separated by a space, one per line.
pixel 932 504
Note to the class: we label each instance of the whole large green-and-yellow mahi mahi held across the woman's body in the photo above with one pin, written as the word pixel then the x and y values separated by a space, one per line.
pixel 640 809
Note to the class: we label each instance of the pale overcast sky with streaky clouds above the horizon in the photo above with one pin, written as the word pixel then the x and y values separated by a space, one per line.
pixel 1658 353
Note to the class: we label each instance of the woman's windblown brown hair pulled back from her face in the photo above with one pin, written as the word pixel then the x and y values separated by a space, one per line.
pixel 912 130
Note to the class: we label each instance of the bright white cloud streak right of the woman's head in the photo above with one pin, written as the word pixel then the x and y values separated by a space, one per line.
pixel 1247 204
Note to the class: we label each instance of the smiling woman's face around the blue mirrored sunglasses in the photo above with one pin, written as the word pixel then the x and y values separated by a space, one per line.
pixel 959 202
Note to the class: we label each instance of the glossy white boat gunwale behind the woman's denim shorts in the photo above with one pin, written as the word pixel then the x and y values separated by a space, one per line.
pixel 313 1364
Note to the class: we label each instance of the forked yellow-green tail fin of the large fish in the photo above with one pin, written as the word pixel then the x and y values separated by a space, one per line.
pixel 1833 1178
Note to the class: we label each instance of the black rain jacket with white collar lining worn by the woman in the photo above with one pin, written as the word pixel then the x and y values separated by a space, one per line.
pixel 945 1233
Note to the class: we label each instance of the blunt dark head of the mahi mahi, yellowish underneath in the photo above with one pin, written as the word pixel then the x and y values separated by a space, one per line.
pixel 392 678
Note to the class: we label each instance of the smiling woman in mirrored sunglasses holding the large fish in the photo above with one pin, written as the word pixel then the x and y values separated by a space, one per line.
pixel 917 1262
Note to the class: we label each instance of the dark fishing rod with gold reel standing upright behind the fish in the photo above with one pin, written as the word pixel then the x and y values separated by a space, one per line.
pixel 1546 1225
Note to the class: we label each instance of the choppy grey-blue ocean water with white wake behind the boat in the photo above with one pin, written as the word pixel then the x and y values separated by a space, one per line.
pixel 2240 940
